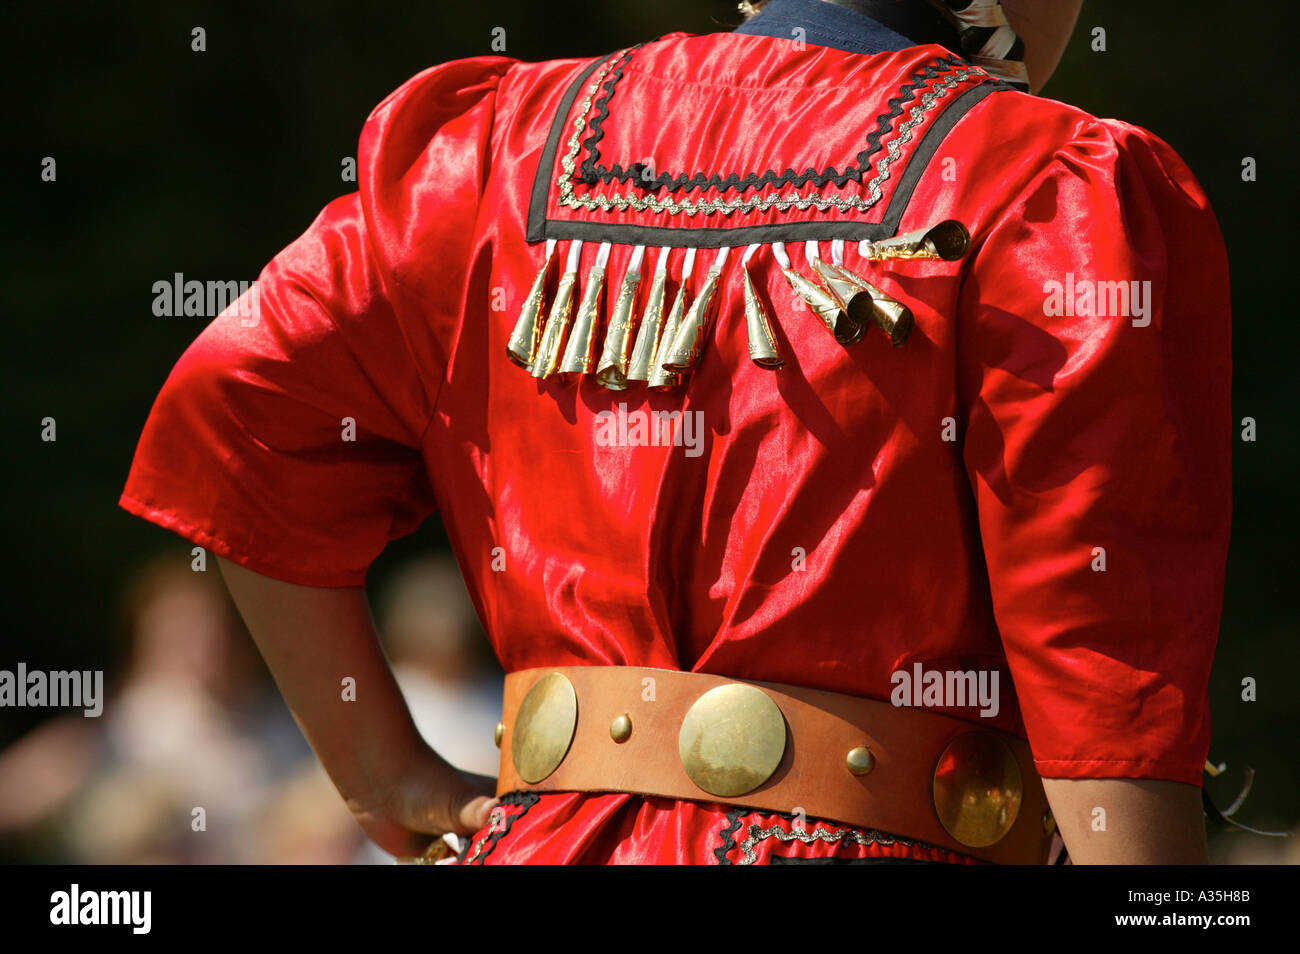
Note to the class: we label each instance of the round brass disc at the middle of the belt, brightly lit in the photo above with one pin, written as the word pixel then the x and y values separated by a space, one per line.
pixel 733 739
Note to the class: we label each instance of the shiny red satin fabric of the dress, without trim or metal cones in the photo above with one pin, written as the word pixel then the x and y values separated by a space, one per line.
pixel 861 510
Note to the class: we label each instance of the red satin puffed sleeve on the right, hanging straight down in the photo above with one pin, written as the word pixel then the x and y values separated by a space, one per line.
pixel 1095 365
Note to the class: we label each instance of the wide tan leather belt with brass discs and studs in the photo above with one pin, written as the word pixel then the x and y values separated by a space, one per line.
pixel 909 773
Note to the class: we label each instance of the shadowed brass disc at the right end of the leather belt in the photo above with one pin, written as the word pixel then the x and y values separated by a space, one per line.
pixel 978 790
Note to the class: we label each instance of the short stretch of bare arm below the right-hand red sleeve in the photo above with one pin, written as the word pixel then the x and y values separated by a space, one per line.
pixel 1141 822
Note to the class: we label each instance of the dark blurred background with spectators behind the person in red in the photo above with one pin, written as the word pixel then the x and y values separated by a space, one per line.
pixel 209 164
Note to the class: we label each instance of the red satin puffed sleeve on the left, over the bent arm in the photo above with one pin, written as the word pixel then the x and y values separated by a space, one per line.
pixel 288 436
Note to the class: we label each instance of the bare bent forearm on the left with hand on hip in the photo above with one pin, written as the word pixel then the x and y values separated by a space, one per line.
pixel 314 639
